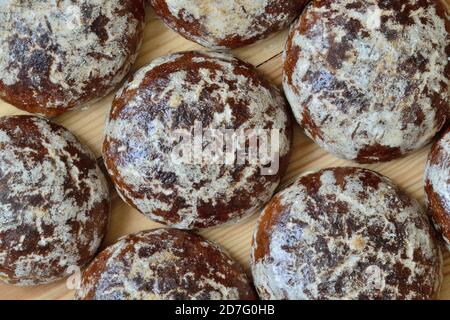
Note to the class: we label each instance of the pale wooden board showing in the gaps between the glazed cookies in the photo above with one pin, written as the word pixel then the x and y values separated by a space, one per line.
pixel 307 156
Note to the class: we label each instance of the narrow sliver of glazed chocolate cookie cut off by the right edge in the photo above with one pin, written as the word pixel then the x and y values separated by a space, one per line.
pixel 437 185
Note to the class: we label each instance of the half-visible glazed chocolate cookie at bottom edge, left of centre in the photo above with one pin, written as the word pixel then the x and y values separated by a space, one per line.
pixel 164 264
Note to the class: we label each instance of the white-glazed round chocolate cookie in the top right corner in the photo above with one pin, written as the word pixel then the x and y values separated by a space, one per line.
pixel 368 80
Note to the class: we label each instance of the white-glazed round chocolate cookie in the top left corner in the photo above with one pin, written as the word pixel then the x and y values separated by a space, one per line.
pixel 59 55
